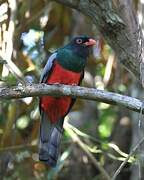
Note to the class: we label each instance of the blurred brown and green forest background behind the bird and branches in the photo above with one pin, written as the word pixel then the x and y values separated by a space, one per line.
pixel 94 132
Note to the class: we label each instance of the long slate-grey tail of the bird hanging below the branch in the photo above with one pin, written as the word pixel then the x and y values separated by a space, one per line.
pixel 50 138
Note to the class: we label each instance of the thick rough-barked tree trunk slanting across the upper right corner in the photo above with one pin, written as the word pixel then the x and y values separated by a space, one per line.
pixel 117 22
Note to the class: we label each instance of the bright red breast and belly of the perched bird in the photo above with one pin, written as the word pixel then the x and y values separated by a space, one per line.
pixel 56 108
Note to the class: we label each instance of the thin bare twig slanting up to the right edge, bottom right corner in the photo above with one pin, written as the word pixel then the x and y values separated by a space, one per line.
pixel 126 160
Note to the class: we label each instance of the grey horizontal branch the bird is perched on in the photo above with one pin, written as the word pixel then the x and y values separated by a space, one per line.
pixel 73 91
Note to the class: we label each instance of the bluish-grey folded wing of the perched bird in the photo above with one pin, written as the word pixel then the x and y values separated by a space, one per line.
pixel 47 68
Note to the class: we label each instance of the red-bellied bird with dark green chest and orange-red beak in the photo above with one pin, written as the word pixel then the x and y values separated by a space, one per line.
pixel 65 66
